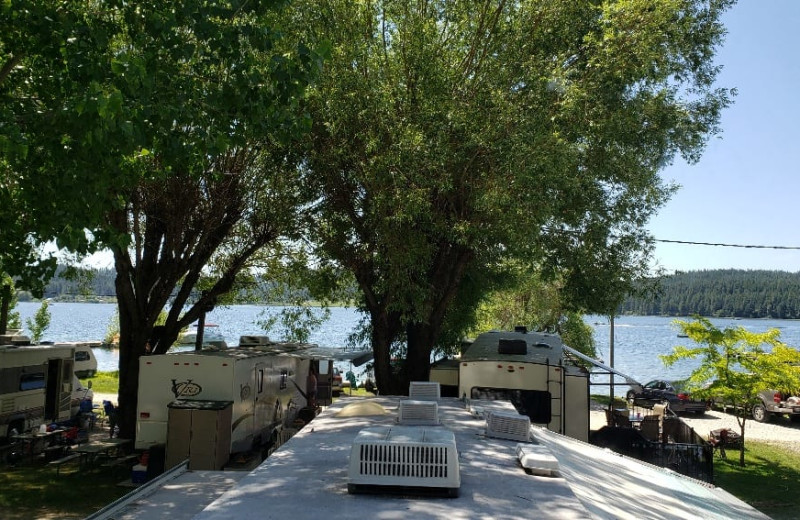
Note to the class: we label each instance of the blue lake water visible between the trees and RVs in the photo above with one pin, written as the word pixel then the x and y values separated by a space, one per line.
pixel 638 340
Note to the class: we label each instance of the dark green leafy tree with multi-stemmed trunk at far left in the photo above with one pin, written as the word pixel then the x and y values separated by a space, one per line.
pixel 159 127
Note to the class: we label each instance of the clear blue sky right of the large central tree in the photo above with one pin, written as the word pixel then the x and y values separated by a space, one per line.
pixel 746 187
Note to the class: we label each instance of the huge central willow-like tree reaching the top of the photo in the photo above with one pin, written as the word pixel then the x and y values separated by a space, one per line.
pixel 447 137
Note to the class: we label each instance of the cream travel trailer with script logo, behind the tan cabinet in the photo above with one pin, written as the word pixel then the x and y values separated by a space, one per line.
pixel 264 385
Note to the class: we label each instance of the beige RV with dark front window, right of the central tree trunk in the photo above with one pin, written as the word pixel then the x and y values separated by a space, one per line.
pixel 527 368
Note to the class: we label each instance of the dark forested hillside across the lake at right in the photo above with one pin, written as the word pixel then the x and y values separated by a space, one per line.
pixel 729 293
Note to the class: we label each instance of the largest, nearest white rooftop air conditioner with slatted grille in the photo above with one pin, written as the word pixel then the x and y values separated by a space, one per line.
pixel 404 459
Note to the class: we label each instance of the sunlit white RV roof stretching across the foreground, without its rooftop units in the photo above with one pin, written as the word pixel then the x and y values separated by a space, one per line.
pixel 307 478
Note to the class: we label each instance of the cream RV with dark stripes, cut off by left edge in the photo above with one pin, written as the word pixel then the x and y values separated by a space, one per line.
pixel 36 386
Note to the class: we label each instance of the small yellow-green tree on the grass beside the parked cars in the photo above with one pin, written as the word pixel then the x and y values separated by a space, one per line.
pixel 735 366
